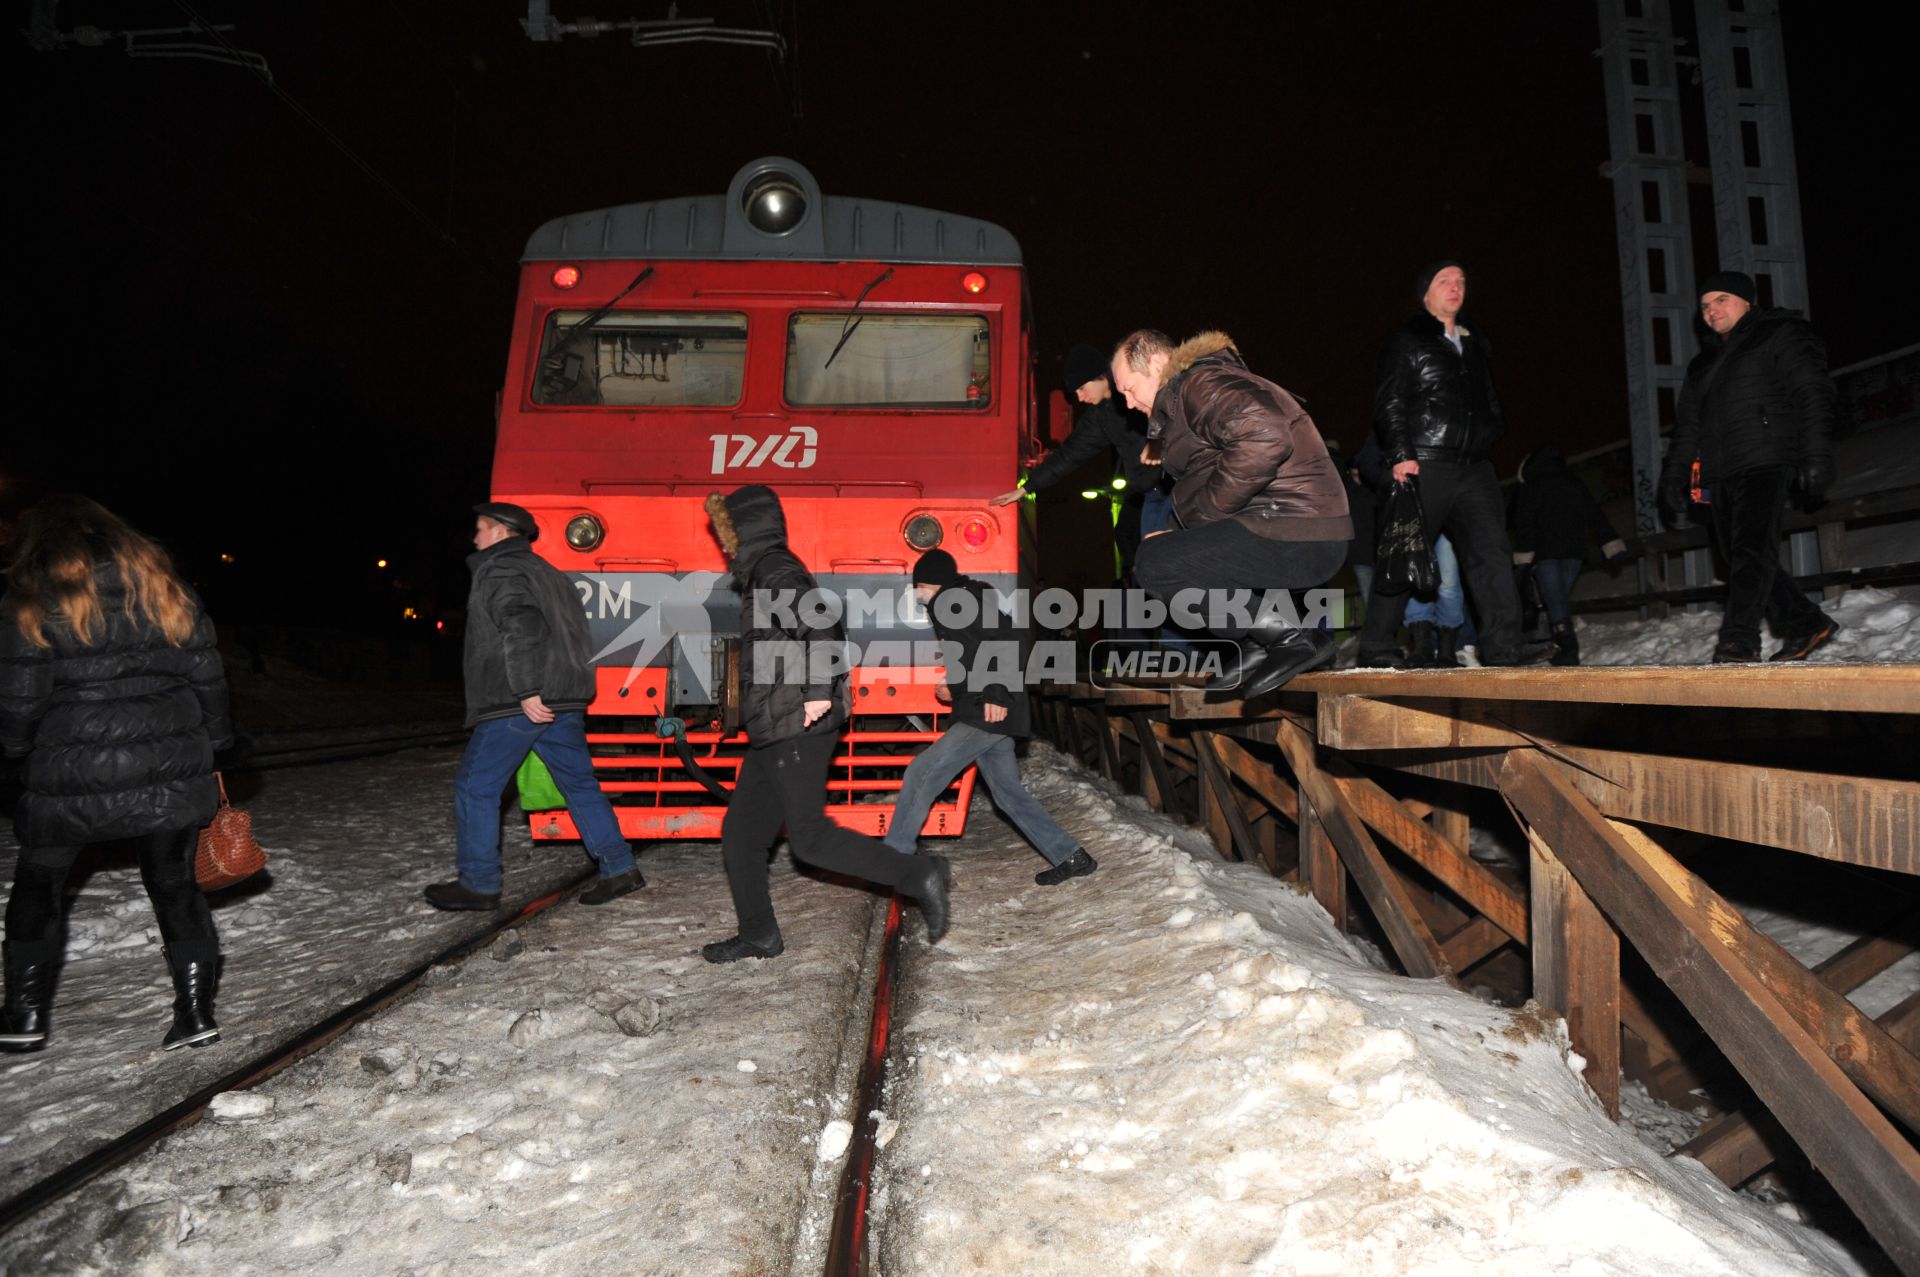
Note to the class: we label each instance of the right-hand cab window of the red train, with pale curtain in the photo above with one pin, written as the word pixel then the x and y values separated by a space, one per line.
pixel 869 360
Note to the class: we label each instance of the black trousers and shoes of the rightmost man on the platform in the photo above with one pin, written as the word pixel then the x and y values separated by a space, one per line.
pixel 1746 525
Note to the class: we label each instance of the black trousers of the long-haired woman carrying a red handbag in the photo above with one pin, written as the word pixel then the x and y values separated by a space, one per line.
pixel 37 907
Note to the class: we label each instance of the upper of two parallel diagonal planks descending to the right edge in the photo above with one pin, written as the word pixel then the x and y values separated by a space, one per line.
pixel 1856 1044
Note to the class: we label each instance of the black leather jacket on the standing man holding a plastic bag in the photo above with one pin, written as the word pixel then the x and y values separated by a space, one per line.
pixel 1433 402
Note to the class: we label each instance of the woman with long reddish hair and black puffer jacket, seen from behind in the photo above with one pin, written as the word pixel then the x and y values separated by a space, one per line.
pixel 112 692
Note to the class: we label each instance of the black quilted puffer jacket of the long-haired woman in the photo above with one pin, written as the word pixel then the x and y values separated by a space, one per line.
pixel 118 735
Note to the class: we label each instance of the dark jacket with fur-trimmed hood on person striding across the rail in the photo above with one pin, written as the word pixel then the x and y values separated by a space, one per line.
pixel 784 662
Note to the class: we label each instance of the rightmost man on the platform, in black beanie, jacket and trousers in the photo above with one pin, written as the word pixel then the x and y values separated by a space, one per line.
pixel 1758 416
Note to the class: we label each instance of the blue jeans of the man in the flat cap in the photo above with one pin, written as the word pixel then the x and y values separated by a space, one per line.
pixel 494 754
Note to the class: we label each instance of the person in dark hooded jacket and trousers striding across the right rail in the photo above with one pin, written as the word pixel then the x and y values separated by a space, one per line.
pixel 794 702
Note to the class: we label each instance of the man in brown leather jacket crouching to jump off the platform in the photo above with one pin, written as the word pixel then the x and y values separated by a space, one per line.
pixel 1259 500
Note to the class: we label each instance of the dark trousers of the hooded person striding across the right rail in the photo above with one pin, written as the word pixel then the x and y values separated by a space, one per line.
pixel 786 784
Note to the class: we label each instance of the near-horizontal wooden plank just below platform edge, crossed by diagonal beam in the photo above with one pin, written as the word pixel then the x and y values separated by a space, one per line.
pixel 1846 819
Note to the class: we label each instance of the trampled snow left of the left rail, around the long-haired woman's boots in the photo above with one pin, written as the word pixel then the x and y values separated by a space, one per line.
pixel 337 915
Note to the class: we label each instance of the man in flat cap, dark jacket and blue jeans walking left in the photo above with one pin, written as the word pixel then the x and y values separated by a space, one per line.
pixel 529 683
